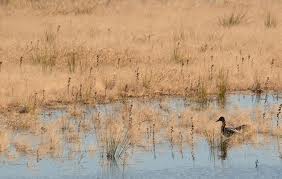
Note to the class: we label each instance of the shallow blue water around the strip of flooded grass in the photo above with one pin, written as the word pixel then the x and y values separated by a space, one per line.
pixel 262 159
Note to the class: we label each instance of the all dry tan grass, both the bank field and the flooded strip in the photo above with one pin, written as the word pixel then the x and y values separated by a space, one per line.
pixel 56 53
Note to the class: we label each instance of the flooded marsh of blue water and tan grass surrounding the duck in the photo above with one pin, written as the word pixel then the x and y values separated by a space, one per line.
pixel 116 137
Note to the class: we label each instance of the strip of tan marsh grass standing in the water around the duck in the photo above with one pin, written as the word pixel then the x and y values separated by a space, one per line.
pixel 139 127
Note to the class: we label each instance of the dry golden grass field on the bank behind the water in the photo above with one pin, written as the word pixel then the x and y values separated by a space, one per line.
pixel 95 61
